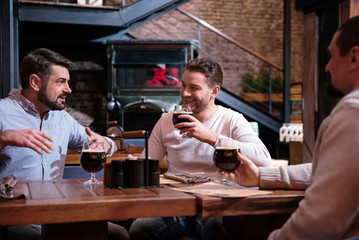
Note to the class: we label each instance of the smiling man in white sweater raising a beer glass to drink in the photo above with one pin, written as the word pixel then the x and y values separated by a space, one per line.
pixel 201 83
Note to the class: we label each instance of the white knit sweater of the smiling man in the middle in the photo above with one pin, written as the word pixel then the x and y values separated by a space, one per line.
pixel 191 155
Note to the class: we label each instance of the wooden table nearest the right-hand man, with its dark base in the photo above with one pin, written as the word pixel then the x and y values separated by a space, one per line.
pixel 252 217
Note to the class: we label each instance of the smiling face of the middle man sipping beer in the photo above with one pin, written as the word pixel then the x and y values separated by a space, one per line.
pixel 195 91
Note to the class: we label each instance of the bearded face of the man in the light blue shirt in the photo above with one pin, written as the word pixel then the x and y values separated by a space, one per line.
pixel 54 91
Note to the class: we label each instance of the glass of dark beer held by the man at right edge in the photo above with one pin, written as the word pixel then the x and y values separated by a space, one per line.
pixel 225 157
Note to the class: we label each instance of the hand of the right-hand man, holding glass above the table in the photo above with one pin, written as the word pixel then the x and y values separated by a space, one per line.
pixel 247 174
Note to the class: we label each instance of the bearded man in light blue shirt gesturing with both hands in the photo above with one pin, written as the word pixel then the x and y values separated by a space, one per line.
pixel 35 132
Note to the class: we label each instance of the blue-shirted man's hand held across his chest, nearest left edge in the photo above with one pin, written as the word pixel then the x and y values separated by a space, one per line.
pixel 30 138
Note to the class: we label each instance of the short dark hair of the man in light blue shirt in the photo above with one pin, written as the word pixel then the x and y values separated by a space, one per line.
pixel 39 62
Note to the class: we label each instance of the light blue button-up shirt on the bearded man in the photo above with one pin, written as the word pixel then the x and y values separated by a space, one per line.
pixel 16 112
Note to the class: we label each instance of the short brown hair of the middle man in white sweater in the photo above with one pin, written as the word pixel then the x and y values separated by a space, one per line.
pixel 211 69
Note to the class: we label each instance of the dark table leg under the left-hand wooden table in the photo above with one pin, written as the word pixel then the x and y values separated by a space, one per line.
pixel 74 231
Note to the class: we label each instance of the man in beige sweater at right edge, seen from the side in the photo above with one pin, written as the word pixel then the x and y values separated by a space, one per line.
pixel 330 208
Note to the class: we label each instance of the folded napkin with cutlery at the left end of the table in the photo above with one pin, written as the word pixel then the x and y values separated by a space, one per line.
pixel 9 189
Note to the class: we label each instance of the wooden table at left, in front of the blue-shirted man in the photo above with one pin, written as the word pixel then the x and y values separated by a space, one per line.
pixel 58 203
